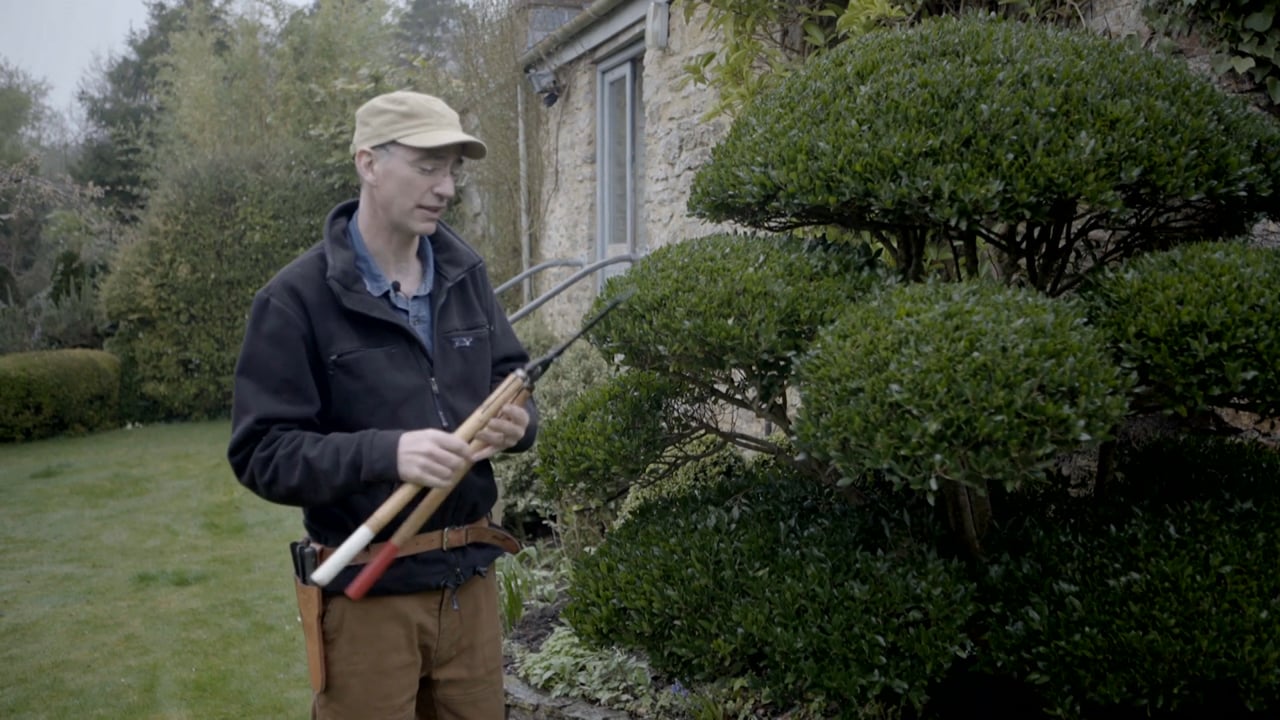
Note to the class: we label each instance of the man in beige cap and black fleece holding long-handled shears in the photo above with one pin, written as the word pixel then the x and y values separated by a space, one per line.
pixel 360 359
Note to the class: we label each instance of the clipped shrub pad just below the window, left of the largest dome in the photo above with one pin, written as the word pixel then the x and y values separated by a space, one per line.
pixel 732 311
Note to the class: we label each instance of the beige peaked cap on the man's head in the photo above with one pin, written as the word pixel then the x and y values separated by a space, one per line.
pixel 414 120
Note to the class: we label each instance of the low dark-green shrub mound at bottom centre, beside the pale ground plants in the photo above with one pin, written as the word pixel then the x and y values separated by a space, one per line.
pixel 774 578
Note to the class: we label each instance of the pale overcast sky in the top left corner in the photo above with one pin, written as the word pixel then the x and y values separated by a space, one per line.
pixel 57 40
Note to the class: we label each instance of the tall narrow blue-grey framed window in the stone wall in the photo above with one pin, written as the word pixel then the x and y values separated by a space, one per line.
pixel 618 152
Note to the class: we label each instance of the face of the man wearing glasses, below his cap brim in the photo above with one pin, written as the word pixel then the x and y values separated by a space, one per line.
pixel 413 186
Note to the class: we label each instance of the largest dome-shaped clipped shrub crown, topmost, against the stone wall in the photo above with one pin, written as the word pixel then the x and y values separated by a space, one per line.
pixel 980 147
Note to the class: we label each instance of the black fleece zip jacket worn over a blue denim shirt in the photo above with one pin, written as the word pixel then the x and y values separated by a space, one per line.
pixel 330 377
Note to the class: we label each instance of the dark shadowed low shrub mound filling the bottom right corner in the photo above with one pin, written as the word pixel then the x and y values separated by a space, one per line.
pixel 1167 603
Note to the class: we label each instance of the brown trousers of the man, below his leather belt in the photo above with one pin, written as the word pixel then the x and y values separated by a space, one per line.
pixel 417 657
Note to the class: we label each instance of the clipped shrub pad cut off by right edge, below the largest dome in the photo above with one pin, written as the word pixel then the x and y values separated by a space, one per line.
pixel 1199 325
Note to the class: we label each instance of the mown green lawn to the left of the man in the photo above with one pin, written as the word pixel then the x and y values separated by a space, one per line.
pixel 140 581
